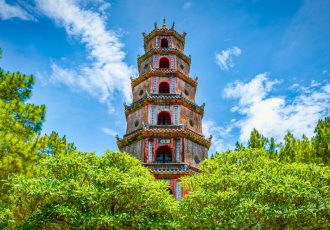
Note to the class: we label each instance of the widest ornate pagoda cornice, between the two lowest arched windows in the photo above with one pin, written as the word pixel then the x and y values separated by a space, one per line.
pixel 168 131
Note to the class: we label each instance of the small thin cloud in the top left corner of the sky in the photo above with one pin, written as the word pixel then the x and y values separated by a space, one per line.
pixel 10 11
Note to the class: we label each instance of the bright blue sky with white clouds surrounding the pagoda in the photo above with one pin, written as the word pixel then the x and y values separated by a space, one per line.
pixel 260 63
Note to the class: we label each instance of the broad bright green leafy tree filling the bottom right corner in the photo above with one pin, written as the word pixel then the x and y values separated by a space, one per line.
pixel 248 190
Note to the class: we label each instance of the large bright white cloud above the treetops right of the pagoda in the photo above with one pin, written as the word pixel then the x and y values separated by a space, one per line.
pixel 274 116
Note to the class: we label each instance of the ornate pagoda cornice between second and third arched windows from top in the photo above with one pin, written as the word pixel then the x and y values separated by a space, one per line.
pixel 161 72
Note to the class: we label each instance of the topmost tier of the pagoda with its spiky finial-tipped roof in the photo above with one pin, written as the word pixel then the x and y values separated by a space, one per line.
pixel 163 31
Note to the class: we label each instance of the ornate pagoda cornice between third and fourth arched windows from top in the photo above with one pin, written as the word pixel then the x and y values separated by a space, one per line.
pixel 164 99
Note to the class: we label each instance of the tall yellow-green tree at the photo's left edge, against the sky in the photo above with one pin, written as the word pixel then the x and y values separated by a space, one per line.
pixel 20 126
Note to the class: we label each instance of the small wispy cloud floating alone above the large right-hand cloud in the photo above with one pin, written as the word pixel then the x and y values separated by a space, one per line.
pixel 225 58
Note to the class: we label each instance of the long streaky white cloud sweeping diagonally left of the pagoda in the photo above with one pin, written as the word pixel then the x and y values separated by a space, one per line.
pixel 106 74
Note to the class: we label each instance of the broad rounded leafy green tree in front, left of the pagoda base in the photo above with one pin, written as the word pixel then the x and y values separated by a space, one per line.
pixel 82 190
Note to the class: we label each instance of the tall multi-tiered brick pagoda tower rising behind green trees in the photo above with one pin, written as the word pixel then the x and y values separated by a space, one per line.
pixel 164 124
